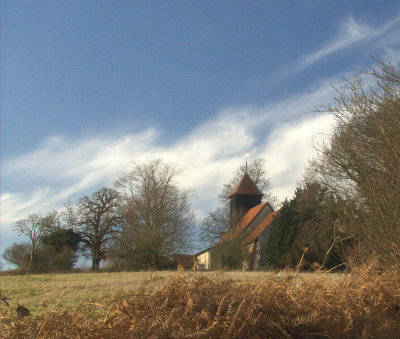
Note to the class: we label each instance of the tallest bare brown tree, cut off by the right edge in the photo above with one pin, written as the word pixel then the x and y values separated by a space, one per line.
pixel 361 162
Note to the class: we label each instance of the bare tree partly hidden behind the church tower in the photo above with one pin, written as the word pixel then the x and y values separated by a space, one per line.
pixel 217 223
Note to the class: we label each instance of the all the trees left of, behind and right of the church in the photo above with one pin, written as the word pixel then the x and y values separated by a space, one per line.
pixel 346 209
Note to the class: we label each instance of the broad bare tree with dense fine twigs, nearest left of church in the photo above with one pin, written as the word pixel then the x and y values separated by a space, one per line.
pixel 157 215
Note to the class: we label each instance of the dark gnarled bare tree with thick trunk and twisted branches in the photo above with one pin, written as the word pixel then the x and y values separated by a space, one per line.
pixel 98 222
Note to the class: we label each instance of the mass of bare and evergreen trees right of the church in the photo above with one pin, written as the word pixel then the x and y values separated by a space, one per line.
pixel 347 210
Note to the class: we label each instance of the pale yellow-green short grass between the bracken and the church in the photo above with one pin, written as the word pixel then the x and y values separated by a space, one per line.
pixel 41 292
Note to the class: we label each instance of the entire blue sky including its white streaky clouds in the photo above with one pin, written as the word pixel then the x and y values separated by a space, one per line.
pixel 89 87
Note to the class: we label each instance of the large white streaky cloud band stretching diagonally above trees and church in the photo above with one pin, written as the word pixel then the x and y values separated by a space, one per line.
pixel 64 168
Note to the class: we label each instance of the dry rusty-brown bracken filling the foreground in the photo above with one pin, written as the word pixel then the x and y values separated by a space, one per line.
pixel 365 303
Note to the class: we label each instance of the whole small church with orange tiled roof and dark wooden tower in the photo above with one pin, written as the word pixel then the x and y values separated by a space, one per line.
pixel 244 245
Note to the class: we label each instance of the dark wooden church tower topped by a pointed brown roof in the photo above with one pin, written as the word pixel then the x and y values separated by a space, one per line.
pixel 246 195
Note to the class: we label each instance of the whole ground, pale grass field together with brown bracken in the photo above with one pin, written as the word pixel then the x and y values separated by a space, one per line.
pixel 365 303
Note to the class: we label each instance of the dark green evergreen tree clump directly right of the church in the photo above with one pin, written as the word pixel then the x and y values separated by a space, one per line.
pixel 308 224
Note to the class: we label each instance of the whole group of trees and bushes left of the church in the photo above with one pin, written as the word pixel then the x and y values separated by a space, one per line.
pixel 137 224
